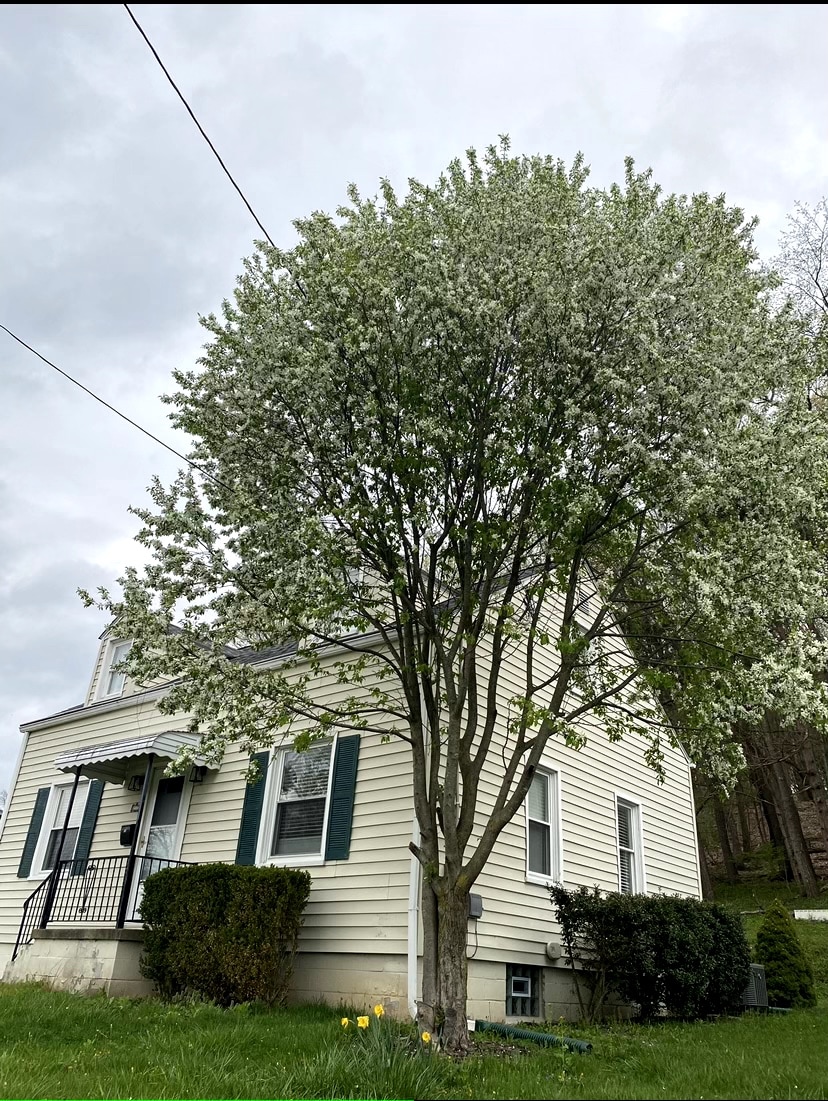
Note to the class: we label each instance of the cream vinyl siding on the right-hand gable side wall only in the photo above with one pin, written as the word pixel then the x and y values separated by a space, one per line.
pixel 518 919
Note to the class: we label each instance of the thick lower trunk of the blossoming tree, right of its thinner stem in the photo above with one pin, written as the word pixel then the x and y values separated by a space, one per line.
pixel 453 918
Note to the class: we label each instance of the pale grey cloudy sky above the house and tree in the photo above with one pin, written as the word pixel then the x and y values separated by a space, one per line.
pixel 118 228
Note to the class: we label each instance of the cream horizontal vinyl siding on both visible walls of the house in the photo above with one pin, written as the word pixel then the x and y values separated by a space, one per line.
pixel 361 906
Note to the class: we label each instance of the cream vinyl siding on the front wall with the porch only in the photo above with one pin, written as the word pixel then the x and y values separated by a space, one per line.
pixel 359 906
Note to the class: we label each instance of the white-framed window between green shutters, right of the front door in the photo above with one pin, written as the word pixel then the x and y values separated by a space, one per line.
pixel 300 803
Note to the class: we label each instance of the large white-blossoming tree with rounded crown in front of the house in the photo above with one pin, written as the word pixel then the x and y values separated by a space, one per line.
pixel 506 415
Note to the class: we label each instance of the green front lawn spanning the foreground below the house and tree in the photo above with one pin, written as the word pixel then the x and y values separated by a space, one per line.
pixel 67 1047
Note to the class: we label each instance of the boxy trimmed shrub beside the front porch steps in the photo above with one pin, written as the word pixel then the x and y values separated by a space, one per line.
pixel 223 932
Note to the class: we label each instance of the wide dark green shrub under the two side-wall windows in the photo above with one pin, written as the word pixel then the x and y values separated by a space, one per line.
pixel 659 952
